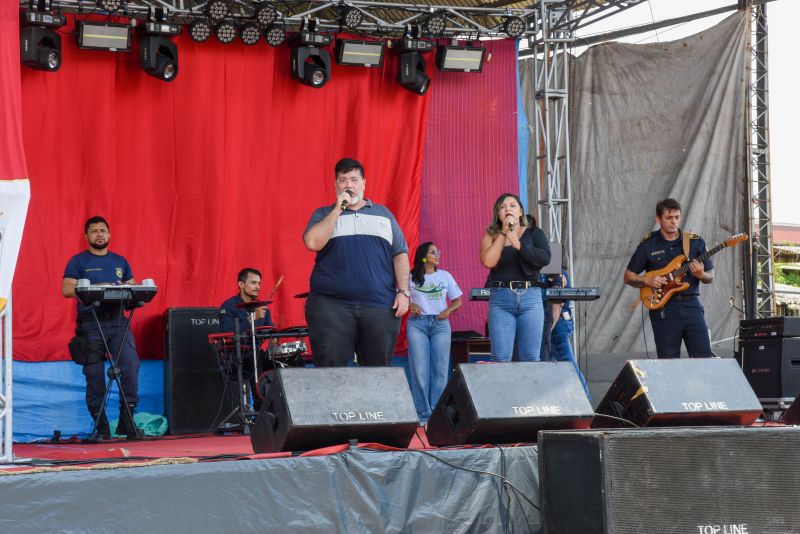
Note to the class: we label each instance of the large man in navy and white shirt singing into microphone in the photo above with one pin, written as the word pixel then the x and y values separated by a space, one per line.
pixel 360 281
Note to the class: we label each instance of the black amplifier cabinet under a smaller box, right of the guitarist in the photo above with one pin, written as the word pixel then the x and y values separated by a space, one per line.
pixel 772 366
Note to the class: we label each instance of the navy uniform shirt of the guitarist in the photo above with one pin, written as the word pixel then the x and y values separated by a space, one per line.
pixel 654 252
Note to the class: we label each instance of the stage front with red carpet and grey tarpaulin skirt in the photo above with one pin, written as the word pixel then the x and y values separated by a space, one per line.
pixel 207 483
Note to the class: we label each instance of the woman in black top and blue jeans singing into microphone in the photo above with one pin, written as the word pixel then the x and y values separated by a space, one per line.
pixel 515 252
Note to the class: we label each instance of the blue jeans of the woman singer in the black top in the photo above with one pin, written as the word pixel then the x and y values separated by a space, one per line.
pixel 516 313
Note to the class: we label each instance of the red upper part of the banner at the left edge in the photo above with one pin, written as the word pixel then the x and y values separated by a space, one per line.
pixel 12 154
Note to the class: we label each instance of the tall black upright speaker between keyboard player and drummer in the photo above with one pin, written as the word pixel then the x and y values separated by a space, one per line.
pixel 194 388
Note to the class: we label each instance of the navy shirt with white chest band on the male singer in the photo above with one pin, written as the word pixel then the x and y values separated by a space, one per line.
pixel 356 266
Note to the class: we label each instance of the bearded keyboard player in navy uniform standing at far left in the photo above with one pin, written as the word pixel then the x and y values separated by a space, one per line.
pixel 101 266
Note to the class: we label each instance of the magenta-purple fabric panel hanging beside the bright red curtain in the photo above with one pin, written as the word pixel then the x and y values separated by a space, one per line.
pixel 470 159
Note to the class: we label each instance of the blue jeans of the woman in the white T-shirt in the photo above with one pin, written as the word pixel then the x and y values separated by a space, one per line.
pixel 428 361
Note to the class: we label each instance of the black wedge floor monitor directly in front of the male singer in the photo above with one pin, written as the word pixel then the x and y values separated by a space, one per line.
pixel 312 408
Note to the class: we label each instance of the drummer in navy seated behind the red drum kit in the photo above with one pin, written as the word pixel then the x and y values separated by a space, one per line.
pixel 249 287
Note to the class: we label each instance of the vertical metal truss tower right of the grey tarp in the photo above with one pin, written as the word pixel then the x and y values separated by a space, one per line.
pixel 761 301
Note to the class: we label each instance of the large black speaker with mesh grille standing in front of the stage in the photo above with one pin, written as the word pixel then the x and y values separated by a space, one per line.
pixel 682 480
